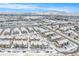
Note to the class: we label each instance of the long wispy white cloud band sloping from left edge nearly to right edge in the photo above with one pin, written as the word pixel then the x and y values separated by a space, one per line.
pixel 33 7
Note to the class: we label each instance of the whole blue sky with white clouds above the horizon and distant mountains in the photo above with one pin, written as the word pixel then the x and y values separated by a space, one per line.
pixel 39 7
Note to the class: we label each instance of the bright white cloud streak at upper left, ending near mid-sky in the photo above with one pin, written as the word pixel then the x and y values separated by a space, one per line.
pixel 18 6
